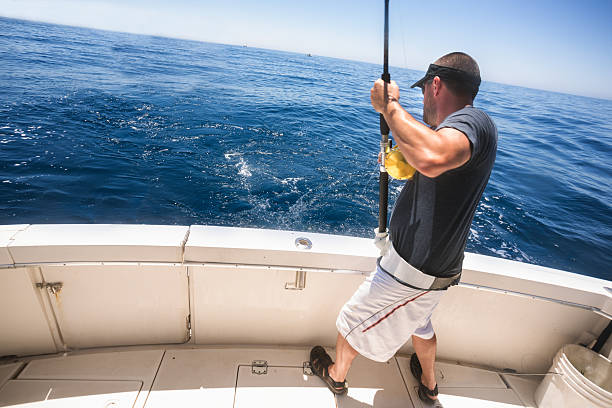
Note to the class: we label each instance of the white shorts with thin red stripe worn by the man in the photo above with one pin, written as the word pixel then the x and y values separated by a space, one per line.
pixel 383 314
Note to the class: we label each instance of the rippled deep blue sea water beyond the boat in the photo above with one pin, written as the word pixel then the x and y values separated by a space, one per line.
pixel 101 127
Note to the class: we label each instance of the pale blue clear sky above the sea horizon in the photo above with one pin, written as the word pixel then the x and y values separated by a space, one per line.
pixel 562 46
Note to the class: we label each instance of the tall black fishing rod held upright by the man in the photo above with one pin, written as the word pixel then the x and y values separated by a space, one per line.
pixel 383 178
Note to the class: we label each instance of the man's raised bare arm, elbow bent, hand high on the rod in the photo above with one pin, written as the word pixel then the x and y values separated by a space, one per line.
pixel 430 152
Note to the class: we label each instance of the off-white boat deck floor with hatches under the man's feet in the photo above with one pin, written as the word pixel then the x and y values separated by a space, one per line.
pixel 226 377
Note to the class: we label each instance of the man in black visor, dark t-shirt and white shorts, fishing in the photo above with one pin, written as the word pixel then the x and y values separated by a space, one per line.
pixel 428 228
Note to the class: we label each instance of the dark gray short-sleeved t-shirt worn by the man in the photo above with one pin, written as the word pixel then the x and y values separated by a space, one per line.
pixel 432 216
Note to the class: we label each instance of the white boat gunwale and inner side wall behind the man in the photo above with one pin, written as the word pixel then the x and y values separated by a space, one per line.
pixel 266 260
